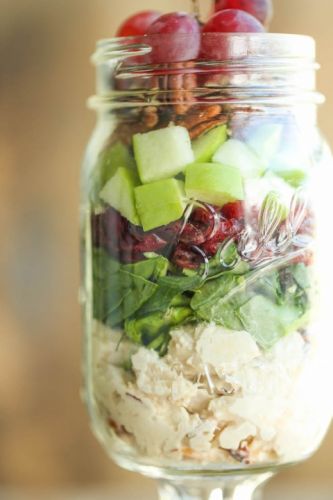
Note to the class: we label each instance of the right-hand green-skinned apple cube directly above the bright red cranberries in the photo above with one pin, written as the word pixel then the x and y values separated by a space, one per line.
pixel 214 183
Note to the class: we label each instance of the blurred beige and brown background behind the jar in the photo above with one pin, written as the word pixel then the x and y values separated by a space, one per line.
pixel 45 78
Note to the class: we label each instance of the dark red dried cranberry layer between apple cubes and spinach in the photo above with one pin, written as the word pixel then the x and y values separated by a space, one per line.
pixel 128 242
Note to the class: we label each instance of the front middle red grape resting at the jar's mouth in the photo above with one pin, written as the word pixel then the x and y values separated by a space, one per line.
pixel 179 40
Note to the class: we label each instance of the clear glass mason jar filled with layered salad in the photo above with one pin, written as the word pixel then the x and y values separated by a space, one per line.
pixel 206 251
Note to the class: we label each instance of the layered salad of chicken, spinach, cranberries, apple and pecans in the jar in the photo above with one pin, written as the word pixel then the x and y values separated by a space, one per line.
pixel 203 332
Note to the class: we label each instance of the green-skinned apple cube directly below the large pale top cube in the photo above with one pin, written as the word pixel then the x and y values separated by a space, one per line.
pixel 160 202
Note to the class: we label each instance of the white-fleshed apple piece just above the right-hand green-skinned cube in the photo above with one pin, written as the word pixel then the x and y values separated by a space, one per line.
pixel 237 154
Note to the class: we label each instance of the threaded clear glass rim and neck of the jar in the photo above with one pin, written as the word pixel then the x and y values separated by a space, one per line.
pixel 254 67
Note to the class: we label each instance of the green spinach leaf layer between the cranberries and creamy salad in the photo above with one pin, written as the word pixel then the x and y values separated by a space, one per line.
pixel 147 300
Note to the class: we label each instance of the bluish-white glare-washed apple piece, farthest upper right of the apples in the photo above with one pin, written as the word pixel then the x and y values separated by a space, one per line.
pixel 265 141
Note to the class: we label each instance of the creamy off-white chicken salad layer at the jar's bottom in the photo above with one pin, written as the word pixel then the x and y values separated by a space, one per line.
pixel 215 398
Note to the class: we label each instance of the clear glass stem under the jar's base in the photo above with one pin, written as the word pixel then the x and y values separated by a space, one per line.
pixel 237 488
